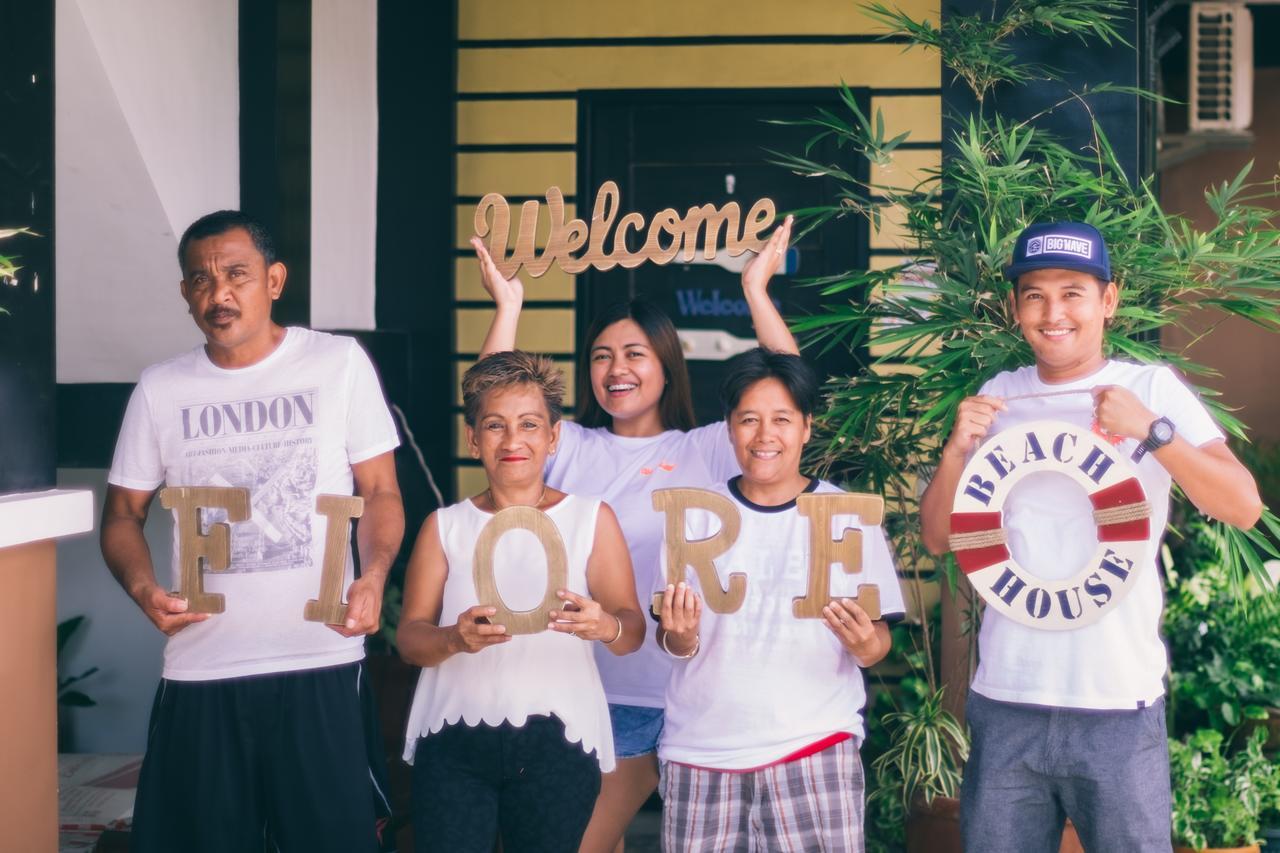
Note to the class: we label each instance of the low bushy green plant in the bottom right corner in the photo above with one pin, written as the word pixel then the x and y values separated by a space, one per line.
pixel 1219 800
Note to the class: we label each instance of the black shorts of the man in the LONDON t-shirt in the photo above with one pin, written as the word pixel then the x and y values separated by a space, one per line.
pixel 287 763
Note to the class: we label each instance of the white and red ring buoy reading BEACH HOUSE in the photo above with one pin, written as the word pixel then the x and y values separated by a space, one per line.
pixel 1121 513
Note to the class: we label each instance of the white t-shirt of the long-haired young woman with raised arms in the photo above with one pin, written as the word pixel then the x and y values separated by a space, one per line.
pixel 624 473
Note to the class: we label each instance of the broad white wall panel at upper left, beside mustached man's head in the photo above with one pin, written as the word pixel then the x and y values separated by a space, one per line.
pixel 147 140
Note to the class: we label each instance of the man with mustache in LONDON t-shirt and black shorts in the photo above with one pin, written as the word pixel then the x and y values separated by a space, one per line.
pixel 263 727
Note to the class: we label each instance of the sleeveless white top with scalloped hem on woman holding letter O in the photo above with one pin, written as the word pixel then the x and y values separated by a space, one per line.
pixel 533 674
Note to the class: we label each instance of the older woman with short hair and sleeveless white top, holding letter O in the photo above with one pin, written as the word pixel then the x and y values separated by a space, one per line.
pixel 509 736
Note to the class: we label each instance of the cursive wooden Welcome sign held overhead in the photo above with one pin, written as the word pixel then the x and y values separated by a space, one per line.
pixel 493 221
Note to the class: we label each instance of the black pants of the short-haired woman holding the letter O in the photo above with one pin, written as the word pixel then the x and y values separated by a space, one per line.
pixel 531 784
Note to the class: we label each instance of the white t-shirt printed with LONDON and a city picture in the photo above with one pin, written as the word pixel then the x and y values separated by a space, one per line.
pixel 287 428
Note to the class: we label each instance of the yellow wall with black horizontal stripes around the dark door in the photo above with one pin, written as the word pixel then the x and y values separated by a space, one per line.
pixel 522 66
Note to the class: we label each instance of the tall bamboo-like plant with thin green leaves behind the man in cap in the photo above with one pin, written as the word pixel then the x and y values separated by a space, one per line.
pixel 941 322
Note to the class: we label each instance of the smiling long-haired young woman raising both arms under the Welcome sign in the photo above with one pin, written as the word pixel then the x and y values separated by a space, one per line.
pixel 636 434
